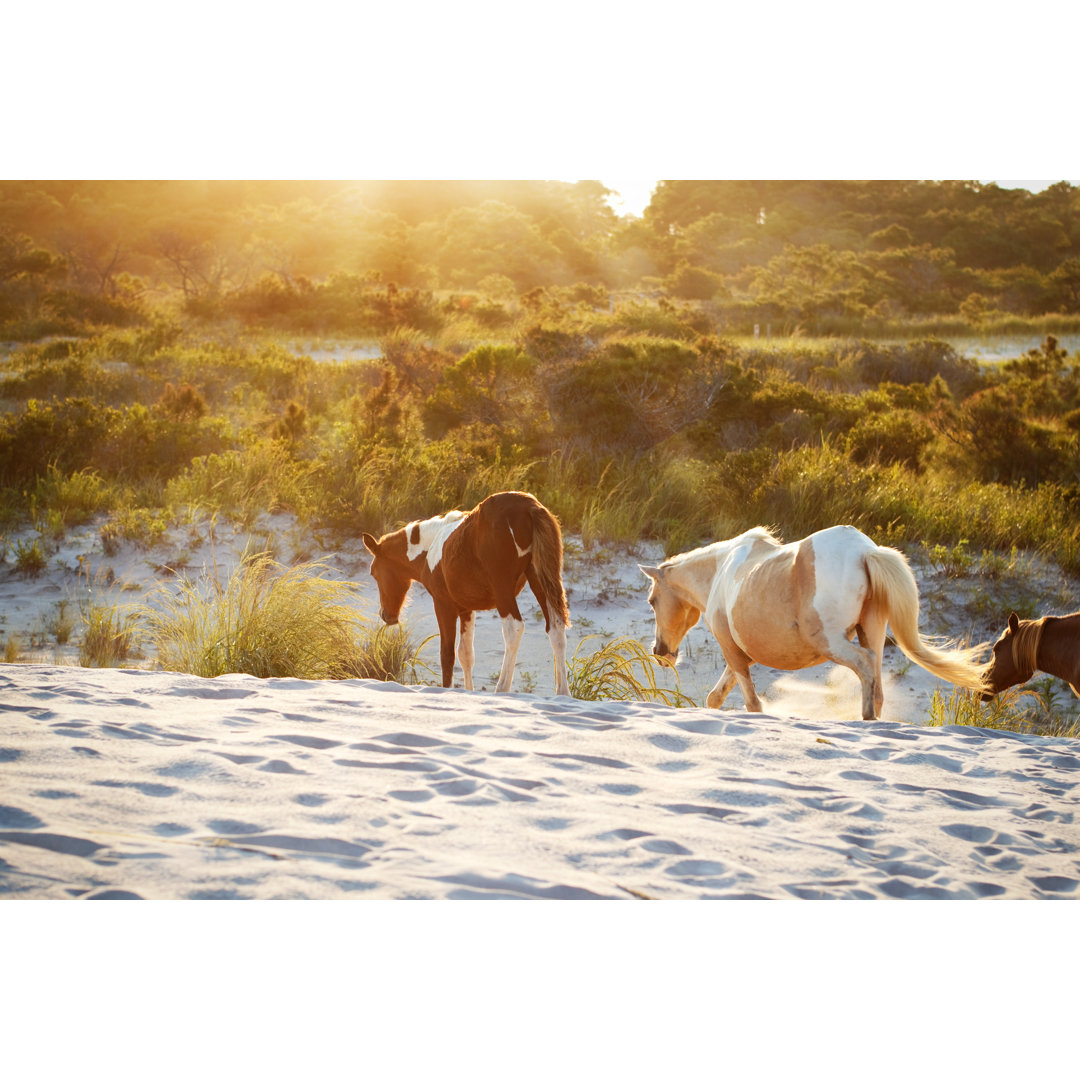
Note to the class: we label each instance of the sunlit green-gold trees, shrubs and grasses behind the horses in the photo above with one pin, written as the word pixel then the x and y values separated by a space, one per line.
pixel 359 355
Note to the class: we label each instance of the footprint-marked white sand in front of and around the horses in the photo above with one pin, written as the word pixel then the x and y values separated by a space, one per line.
pixel 158 786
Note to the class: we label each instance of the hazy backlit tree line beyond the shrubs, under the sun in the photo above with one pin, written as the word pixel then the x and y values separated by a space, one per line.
pixel 796 255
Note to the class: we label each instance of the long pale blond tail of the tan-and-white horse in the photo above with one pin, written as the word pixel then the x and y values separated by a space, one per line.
pixel 895 590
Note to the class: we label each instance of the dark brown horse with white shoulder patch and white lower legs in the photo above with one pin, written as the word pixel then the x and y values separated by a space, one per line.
pixel 474 562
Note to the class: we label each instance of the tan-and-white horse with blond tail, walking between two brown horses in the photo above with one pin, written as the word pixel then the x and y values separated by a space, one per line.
pixel 795 605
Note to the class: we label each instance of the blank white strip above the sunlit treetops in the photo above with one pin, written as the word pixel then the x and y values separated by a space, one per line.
pixel 447 92
